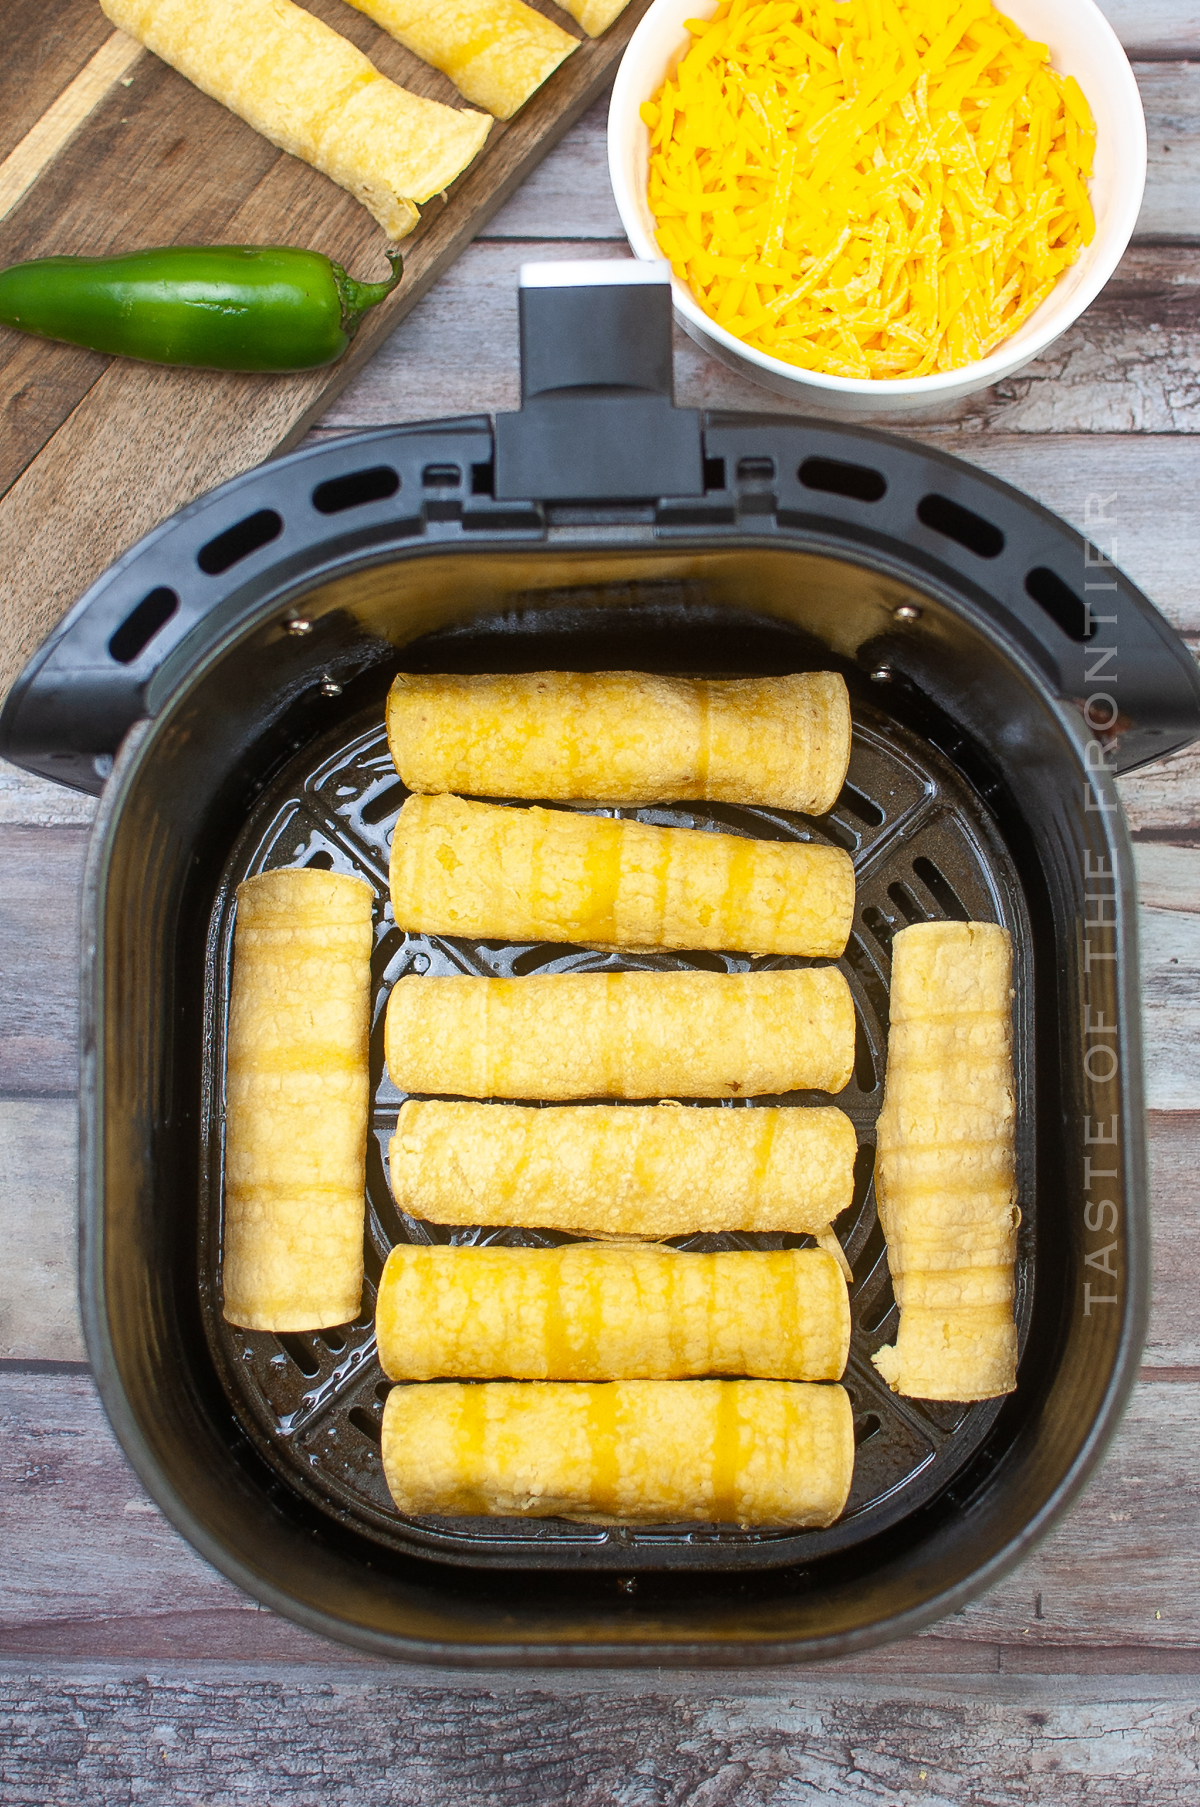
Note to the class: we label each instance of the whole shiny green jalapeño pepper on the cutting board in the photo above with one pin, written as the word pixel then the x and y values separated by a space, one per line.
pixel 221 308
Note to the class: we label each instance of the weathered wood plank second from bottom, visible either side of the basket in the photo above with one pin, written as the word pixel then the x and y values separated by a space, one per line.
pixel 86 1548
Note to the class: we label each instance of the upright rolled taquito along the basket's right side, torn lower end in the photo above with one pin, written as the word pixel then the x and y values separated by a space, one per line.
pixel 946 1170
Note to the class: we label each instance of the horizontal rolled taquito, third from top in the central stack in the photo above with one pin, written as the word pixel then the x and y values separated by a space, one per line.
pixel 623 1035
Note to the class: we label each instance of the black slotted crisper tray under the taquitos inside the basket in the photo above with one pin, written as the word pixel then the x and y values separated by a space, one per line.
pixel 926 847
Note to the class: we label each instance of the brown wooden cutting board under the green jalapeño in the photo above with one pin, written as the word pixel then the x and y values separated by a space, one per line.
pixel 106 149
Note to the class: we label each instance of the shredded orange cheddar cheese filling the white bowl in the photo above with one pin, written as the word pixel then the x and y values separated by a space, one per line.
pixel 870 189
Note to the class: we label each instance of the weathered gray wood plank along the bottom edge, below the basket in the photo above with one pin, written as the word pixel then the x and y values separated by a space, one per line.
pixel 341 1737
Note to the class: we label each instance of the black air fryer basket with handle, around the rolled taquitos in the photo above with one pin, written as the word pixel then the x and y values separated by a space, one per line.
pixel 227 680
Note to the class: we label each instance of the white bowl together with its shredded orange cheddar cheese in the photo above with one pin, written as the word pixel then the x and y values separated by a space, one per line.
pixel 877 205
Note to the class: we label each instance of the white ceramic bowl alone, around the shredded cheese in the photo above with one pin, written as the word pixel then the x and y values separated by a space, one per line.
pixel 1082 44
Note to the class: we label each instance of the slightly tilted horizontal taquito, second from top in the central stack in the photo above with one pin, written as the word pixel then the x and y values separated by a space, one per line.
pixel 552 875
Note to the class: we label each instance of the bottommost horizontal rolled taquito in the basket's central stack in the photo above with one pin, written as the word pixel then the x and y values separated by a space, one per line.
pixel 623 1452
